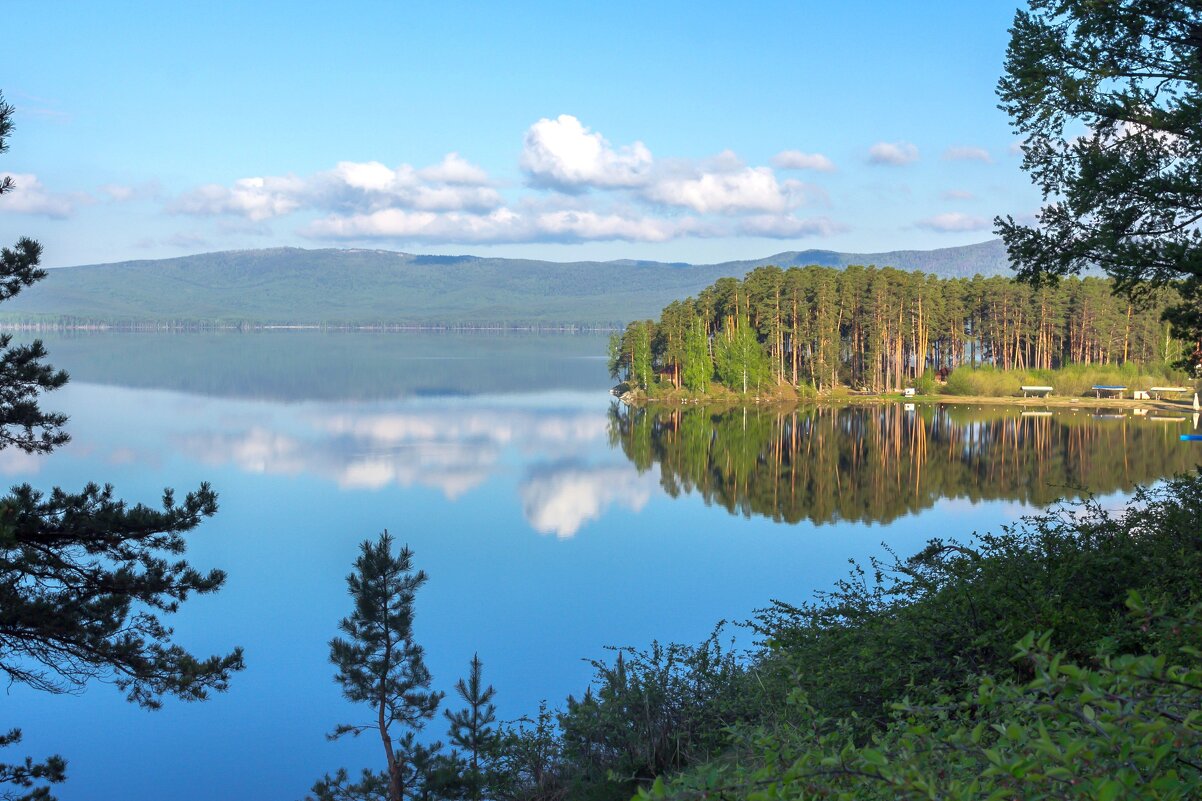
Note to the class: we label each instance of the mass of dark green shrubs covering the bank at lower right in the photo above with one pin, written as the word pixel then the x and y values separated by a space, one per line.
pixel 903 683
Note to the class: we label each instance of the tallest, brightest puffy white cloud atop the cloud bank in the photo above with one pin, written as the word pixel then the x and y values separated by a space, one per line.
pixel 564 155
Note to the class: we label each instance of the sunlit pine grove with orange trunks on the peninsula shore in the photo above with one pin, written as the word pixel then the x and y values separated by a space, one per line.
pixel 880 329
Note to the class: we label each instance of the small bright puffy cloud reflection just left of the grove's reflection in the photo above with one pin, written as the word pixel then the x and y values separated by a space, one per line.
pixel 558 500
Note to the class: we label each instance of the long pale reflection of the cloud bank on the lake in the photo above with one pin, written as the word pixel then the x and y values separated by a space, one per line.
pixel 453 450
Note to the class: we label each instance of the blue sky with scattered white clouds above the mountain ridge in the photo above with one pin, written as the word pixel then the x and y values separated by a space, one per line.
pixel 674 130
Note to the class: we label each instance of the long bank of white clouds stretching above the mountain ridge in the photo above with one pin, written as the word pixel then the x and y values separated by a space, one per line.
pixel 634 198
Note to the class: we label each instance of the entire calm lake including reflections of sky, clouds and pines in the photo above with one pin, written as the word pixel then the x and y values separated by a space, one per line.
pixel 551 521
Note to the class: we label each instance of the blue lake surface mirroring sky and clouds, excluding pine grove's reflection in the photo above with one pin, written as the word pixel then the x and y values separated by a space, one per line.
pixel 543 541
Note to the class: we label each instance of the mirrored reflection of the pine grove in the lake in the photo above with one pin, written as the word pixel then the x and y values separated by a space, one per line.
pixel 877 464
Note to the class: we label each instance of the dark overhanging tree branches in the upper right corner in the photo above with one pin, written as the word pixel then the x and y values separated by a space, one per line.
pixel 1109 99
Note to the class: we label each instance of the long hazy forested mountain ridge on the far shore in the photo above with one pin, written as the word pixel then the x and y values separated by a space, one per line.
pixel 364 288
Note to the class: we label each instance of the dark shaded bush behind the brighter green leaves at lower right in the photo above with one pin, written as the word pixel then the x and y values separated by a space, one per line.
pixel 955 612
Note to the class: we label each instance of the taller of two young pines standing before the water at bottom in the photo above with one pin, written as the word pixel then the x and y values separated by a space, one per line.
pixel 382 667
